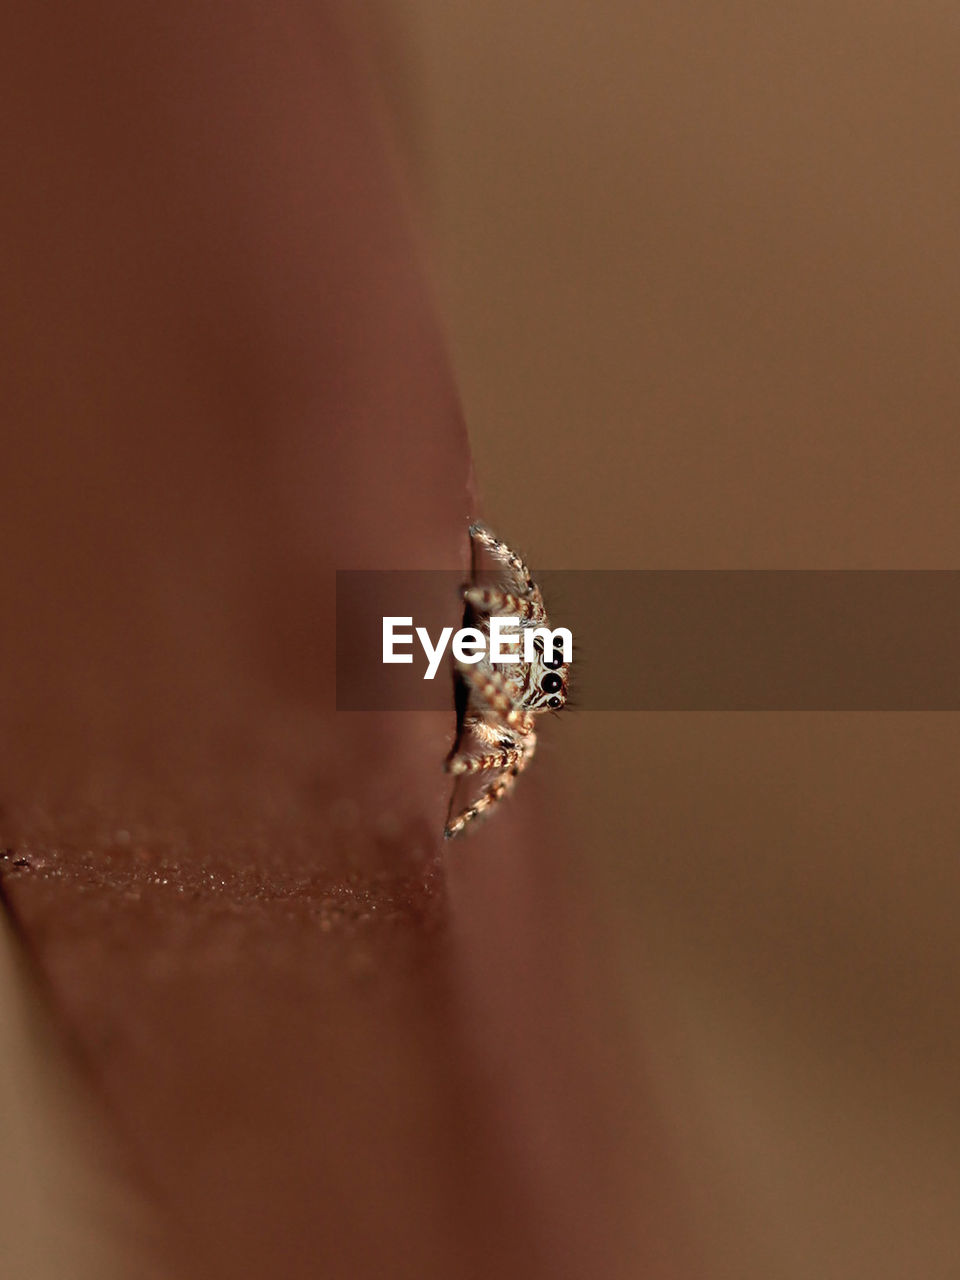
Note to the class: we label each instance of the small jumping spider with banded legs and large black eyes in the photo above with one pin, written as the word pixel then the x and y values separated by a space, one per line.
pixel 502 703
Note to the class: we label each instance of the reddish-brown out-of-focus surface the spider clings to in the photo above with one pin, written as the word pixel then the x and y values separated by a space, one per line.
pixel 227 382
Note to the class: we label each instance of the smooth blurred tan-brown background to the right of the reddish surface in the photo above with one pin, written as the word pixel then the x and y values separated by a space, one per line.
pixel 700 273
